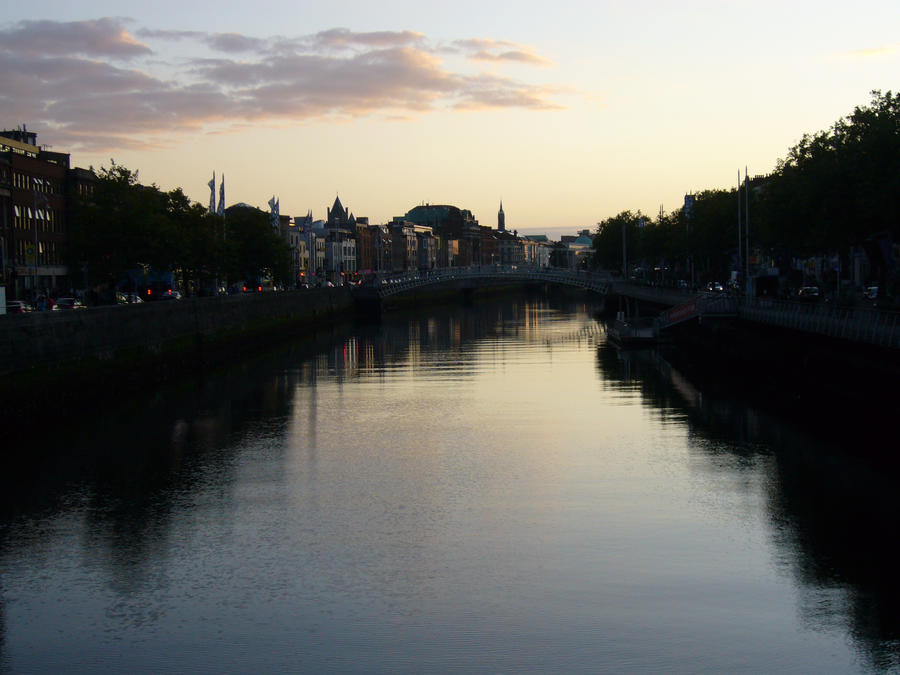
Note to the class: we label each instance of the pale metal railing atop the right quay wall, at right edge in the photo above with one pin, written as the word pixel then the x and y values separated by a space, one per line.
pixel 860 325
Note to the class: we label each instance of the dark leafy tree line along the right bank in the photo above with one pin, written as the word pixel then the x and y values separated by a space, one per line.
pixel 836 191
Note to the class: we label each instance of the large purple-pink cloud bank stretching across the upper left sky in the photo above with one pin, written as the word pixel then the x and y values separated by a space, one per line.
pixel 83 97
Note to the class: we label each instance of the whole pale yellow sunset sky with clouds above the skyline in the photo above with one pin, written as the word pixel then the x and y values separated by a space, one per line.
pixel 567 111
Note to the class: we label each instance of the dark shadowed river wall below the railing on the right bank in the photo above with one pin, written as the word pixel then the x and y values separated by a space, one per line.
pixel 842 389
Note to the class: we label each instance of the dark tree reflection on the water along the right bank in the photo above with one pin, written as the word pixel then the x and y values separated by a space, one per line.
pixel 832 515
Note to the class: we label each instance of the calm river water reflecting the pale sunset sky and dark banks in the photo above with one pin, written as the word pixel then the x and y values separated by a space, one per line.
pixel 490 488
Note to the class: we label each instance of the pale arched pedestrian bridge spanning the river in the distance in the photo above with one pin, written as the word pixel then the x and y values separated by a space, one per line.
pixel 472 277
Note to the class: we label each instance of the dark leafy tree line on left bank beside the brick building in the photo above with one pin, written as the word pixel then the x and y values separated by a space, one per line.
pixel 121 227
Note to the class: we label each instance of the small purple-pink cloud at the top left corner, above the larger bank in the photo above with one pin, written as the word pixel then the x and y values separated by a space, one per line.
pixel 98 38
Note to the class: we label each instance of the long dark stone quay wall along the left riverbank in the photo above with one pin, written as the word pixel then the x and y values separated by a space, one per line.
pixel 49 358
